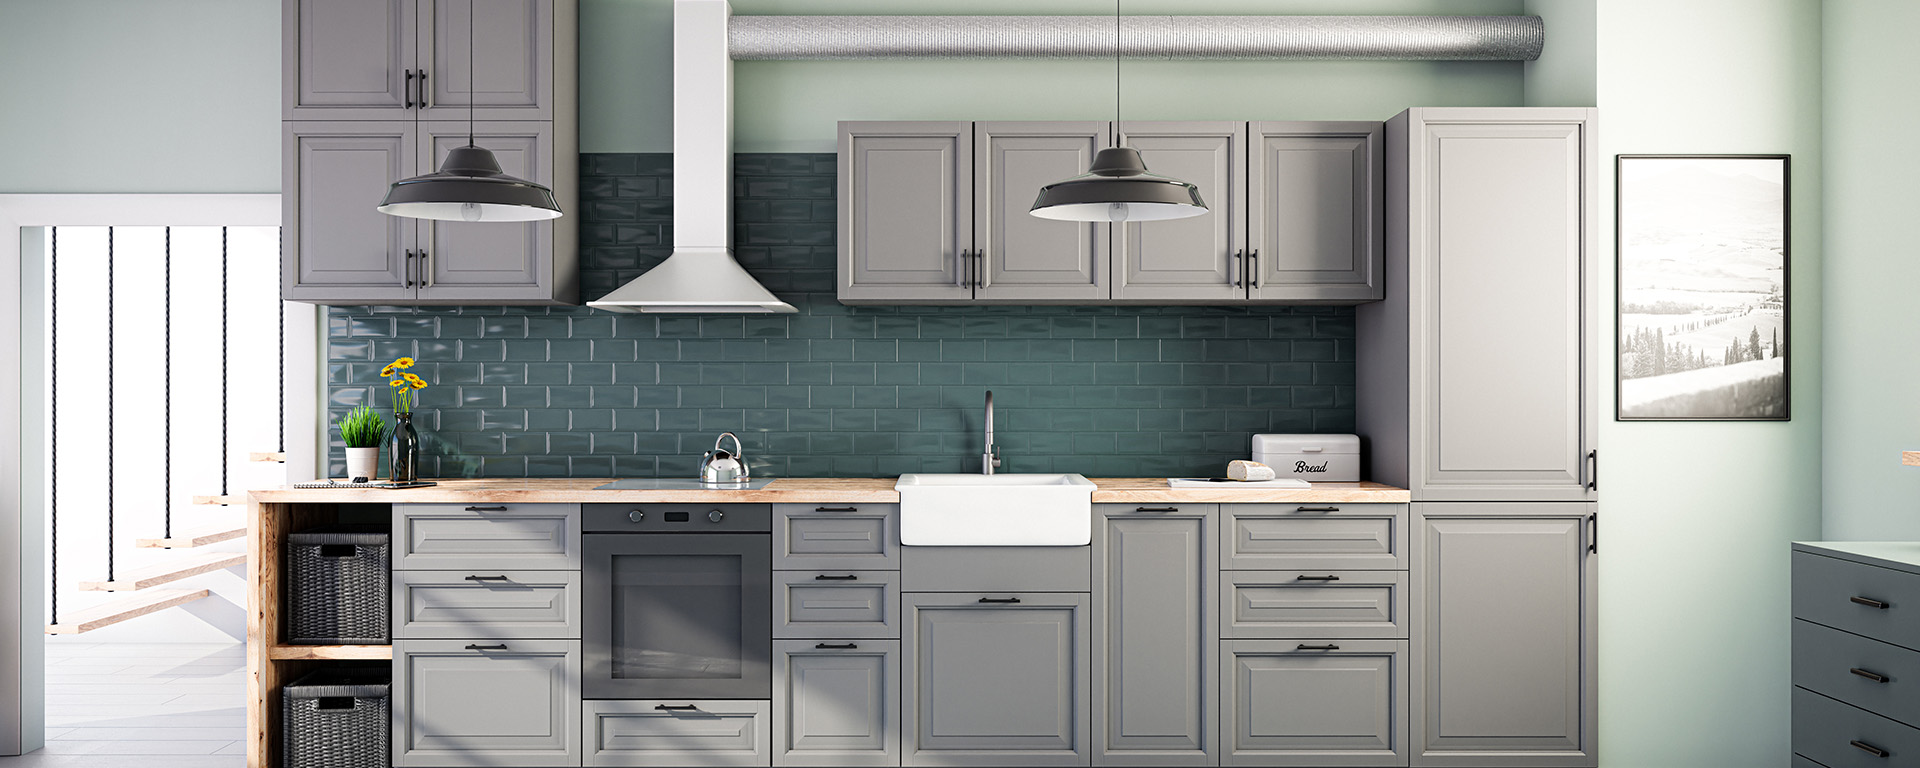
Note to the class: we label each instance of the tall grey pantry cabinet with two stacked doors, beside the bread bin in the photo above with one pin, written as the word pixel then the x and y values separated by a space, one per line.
pixel 1479 393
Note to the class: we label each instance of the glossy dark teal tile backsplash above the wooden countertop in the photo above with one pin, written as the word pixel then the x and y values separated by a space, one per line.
pixel 834 391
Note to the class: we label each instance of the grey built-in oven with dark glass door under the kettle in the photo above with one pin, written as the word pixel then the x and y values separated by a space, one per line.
pixel 677 602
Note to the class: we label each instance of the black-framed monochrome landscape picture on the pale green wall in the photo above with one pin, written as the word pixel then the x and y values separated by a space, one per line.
pixel 1702 245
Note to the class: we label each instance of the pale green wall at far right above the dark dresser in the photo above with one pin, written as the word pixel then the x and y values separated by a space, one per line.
pixel 1873 404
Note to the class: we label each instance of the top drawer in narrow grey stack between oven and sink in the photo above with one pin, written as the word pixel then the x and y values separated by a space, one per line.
pixel 838 537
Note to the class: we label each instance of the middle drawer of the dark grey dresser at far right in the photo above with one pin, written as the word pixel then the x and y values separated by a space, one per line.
pixel 1863 673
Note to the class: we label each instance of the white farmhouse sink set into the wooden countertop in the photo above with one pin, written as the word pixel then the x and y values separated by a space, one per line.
pixel 996 510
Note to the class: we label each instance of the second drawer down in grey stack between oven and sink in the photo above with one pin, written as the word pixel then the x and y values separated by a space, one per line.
pixel 836 604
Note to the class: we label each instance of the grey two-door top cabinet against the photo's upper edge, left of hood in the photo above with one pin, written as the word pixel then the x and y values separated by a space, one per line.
pixel 410 59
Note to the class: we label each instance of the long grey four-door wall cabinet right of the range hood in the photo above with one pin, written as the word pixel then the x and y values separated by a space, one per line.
pixel 1295 216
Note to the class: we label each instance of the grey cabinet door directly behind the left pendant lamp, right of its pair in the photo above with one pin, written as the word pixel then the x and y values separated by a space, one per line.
pixel 481 260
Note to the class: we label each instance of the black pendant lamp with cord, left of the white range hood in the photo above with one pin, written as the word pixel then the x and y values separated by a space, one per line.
pixel 469 185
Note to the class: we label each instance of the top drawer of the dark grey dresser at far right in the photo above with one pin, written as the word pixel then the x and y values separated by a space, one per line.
pixel 1844 596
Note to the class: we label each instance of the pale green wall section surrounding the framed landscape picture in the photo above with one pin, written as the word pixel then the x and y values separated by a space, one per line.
pixel 1696 517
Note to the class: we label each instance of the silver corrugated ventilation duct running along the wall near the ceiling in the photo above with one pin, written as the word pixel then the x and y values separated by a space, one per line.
pixel 1147 37
